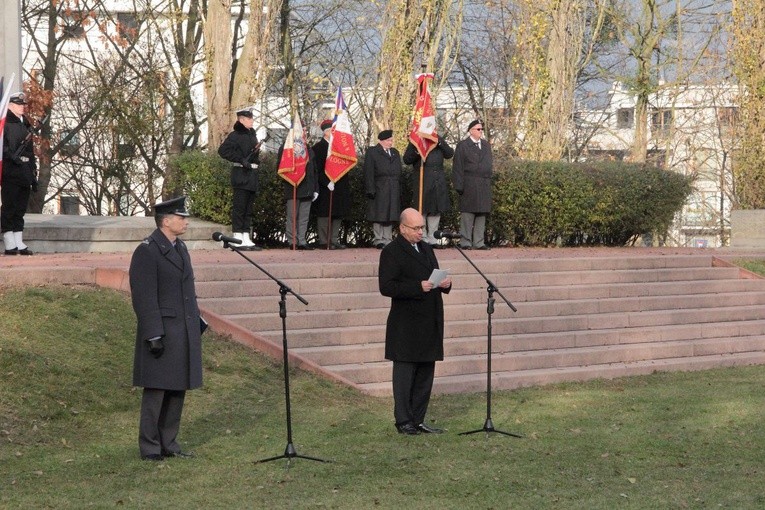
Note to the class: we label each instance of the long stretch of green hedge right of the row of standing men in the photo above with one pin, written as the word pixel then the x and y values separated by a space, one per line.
pixel 555 203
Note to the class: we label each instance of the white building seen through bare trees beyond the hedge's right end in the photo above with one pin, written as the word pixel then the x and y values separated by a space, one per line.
pixel 690 131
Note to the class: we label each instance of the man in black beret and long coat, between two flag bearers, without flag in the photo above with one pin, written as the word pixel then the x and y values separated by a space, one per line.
pixel 382 174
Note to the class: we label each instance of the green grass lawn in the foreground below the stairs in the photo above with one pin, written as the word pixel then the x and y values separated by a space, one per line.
pixel 69 416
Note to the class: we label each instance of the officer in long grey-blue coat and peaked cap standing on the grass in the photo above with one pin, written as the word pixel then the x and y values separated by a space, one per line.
pixel 168 347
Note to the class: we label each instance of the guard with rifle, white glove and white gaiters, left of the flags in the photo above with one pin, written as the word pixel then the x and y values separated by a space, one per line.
pixel 241 148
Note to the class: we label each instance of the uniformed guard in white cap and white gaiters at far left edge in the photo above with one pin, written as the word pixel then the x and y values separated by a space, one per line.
pixel 19 175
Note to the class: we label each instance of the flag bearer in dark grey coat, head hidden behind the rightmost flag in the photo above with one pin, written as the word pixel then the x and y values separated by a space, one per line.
pixel 435 194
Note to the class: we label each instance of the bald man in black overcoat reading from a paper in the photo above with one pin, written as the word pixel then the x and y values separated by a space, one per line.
pixel 414 337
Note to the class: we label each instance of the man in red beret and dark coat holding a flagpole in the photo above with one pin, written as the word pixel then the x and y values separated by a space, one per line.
pixel 340 192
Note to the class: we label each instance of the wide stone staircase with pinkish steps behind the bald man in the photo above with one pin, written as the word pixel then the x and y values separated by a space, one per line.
pixel 577 318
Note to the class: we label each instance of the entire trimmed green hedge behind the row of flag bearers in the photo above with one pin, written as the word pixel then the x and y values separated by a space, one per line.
pixel 535 204
